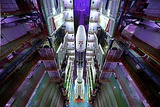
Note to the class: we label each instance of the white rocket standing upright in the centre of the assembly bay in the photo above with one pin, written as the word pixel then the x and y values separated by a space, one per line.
pixel 80 48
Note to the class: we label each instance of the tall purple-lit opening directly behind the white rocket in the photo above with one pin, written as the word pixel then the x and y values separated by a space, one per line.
pixel 81 17
